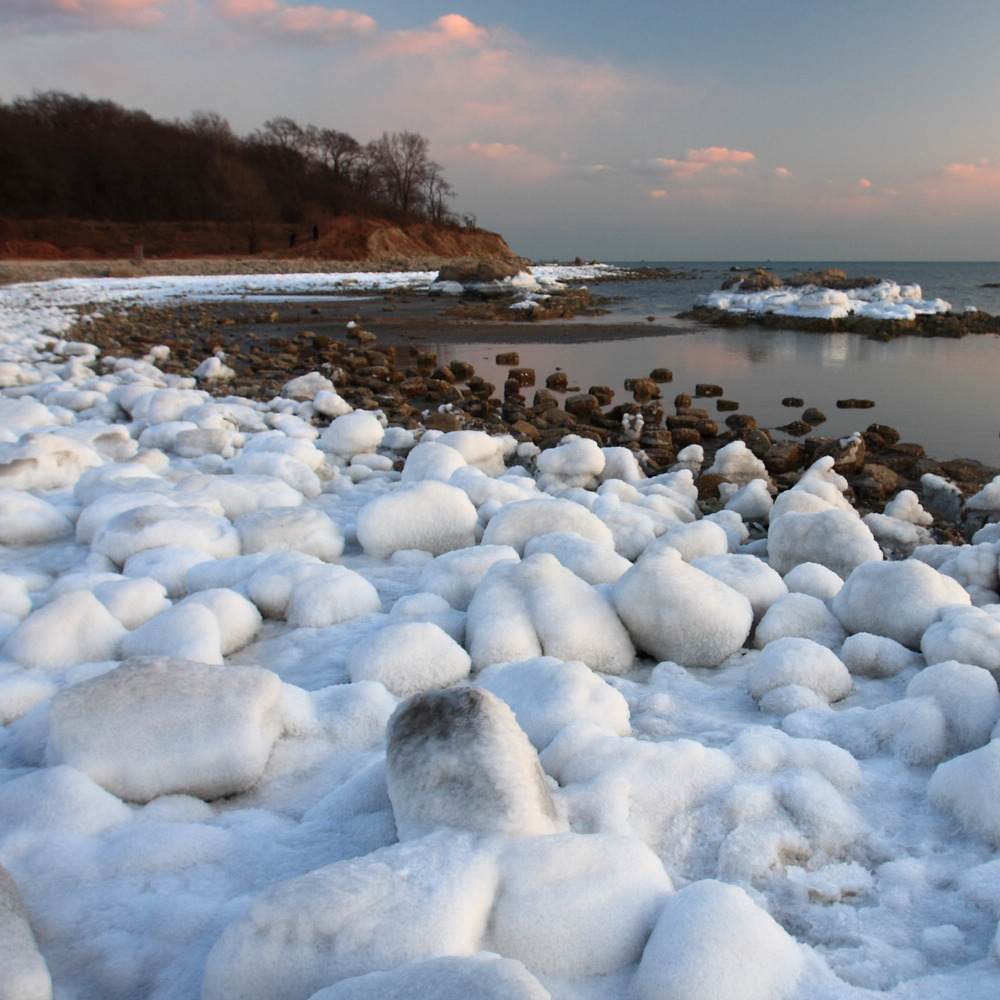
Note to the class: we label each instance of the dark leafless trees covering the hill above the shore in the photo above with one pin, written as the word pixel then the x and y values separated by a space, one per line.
pixel 66 156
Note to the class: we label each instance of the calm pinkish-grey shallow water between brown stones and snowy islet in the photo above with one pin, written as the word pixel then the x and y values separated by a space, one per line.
pixel 940 393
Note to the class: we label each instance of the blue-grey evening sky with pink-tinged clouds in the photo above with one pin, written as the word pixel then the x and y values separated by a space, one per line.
pixel 773 129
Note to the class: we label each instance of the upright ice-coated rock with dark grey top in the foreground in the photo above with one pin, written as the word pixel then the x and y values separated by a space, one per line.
pixel 458 759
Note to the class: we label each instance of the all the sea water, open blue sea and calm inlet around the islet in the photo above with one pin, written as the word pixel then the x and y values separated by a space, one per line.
pixel 941 393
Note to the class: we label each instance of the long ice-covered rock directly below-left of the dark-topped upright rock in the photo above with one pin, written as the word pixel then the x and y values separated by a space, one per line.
pixel 415 900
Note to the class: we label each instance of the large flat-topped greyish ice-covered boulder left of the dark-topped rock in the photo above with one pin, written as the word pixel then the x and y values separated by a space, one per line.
pixel 157 726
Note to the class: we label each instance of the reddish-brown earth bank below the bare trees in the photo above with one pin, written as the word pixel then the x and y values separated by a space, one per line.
pixel 343 238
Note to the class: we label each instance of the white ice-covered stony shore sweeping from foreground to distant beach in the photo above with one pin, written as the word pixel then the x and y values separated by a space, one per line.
pixel 749 753
